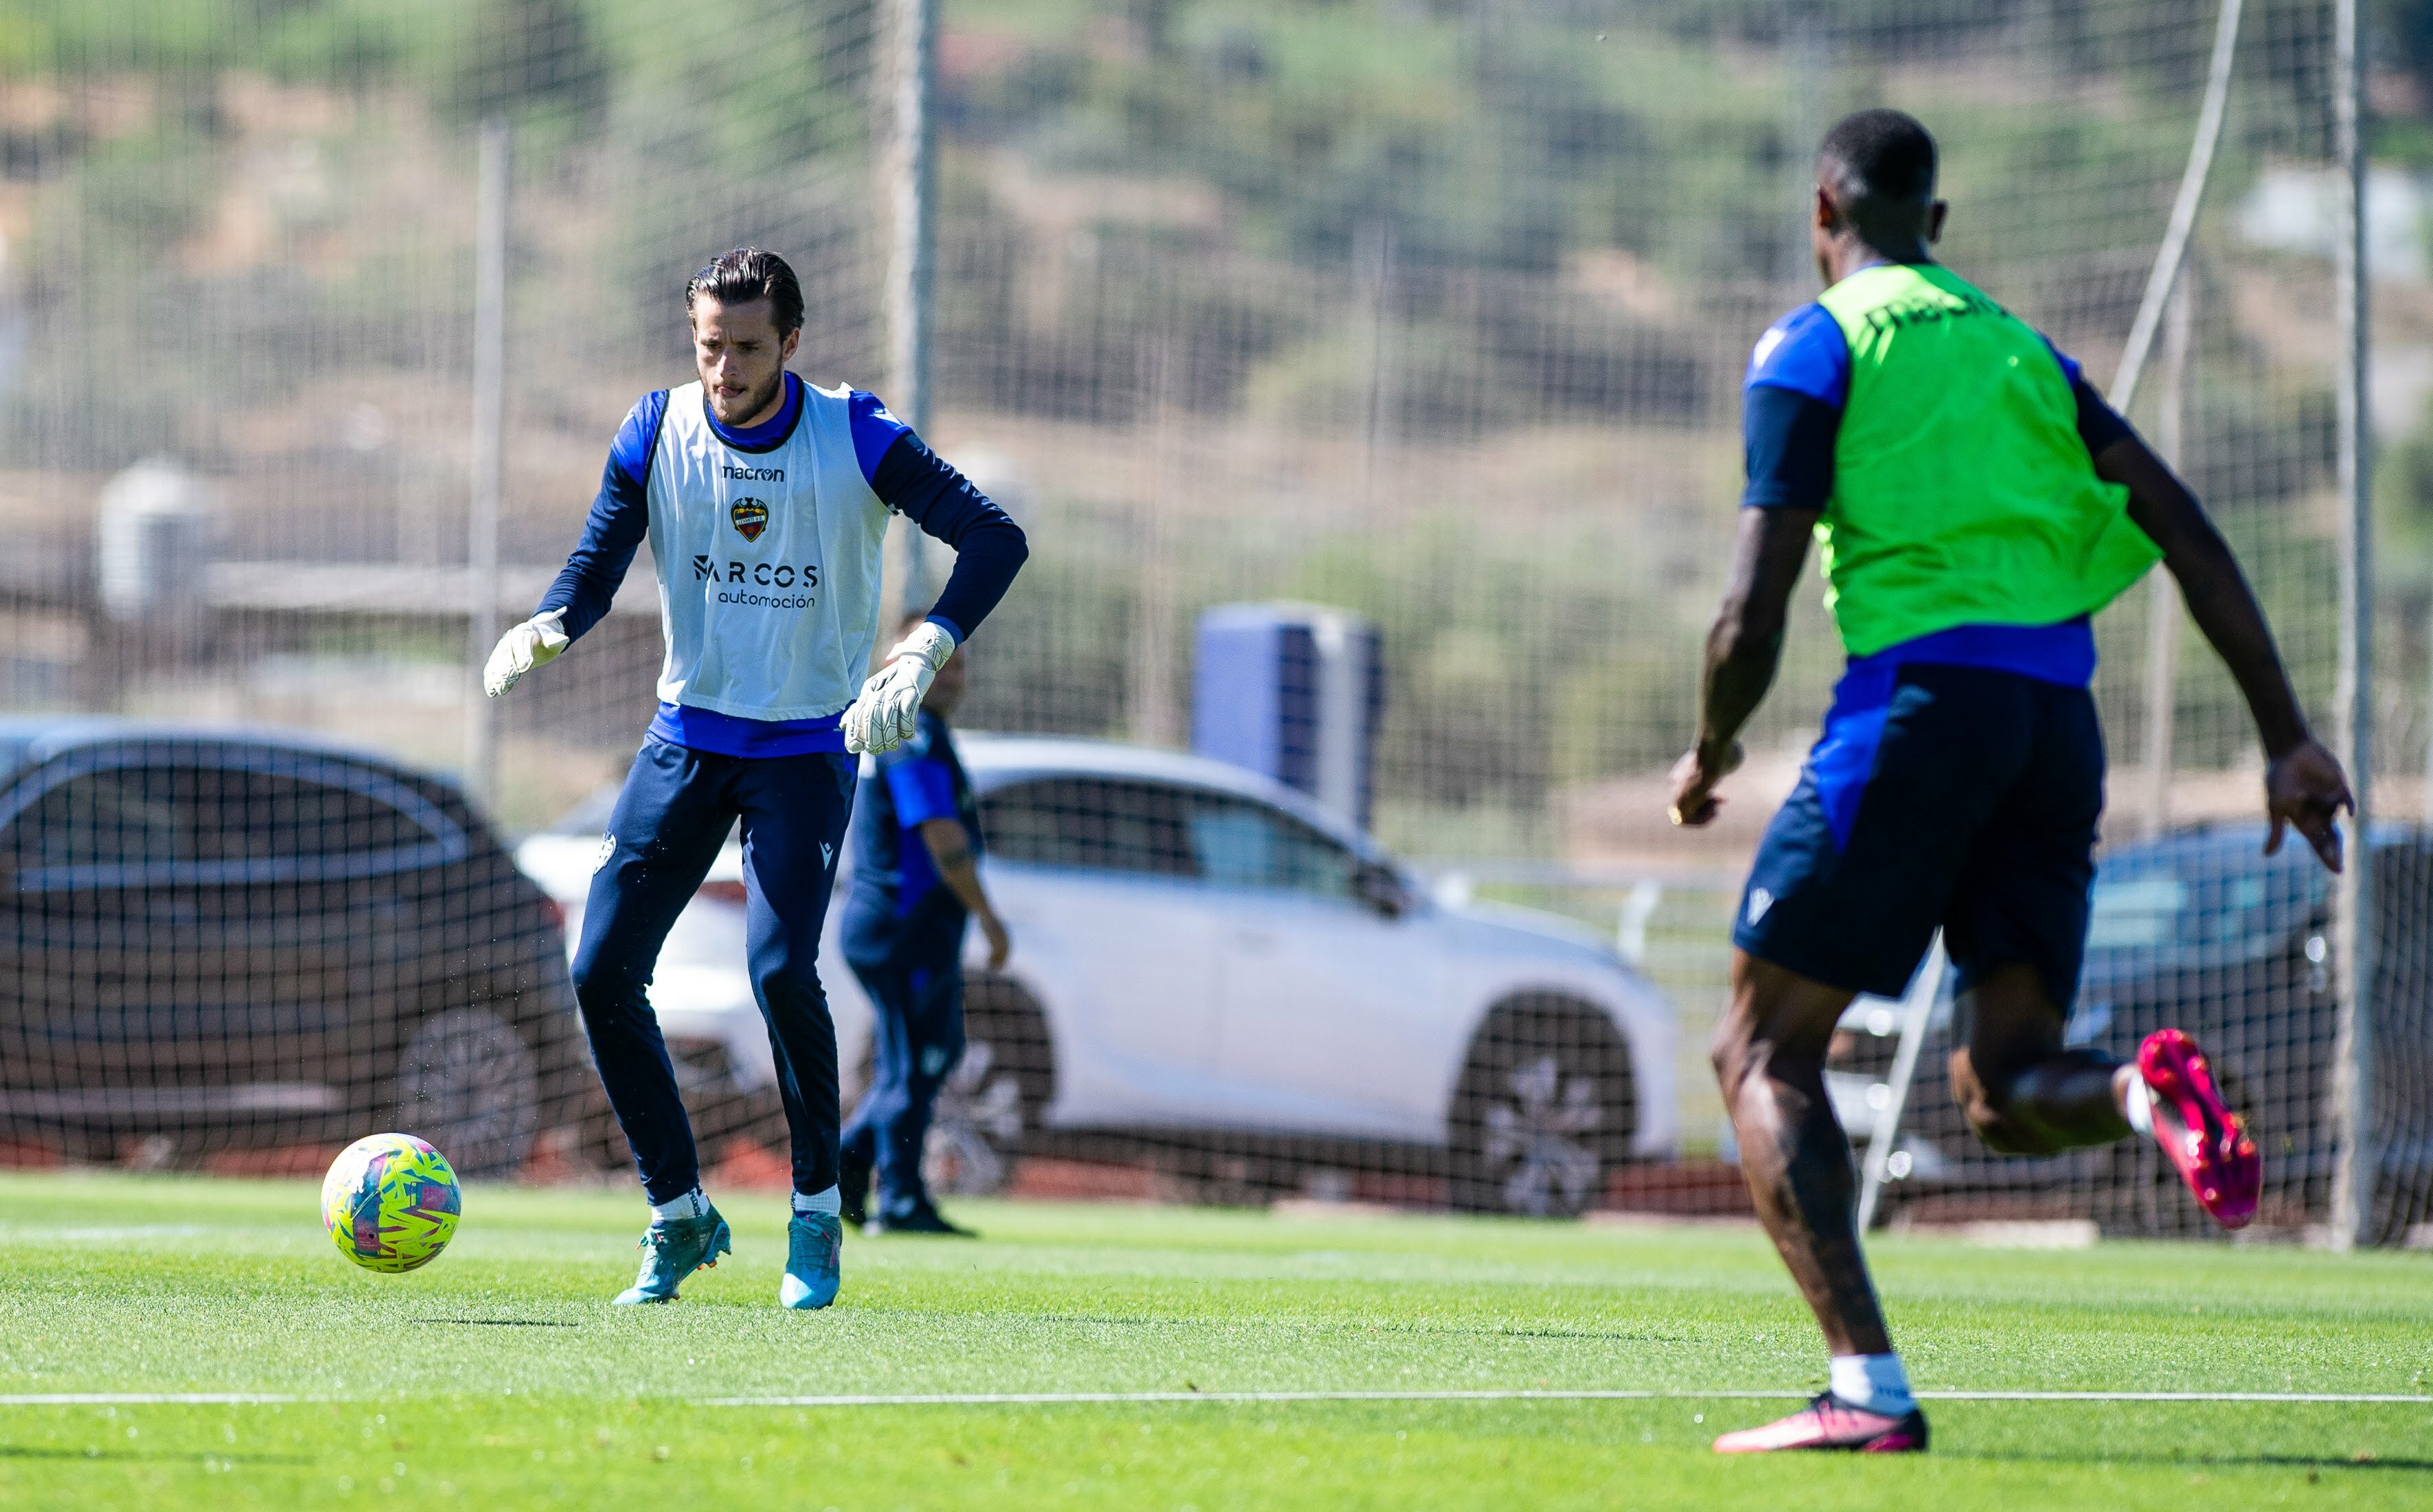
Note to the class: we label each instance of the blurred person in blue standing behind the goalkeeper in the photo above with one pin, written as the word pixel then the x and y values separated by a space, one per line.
pixel 916 888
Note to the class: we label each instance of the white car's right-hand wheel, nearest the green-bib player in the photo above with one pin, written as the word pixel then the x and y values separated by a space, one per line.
pixel 1544 1110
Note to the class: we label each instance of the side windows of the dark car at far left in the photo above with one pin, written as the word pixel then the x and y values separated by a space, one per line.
pixel 206 816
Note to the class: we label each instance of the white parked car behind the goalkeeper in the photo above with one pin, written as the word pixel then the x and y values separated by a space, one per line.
pixel 1203 954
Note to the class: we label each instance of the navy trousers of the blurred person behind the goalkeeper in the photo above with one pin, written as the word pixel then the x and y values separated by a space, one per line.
pixel 916 1039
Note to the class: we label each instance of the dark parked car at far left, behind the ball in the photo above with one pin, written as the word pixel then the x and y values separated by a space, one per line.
pixel 232 940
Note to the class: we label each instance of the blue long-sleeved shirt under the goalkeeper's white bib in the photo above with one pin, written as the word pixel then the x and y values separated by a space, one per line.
pixel 906 475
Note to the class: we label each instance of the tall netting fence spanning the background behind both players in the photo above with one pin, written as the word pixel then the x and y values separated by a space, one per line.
pixel 1420 325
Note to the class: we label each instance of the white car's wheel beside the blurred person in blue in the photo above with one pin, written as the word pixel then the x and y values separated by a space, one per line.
pixel 994 1095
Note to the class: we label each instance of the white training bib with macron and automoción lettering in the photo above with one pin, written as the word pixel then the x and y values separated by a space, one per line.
pixel 768 563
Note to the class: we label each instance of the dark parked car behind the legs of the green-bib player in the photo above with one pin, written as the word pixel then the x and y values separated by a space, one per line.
pixel 2206 932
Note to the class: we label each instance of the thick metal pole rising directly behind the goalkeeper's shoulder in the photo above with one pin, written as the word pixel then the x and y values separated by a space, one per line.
pixel 911 259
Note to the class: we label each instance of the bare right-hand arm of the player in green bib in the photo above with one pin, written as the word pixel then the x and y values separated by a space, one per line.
pixel 2305 784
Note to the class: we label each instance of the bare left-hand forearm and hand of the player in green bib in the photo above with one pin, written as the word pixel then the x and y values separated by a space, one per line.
pixel 1743 650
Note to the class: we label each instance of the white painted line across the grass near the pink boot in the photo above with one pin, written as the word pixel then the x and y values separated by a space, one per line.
pixel 1086 1399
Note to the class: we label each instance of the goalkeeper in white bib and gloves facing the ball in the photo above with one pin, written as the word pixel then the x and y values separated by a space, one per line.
pixel 765 502
